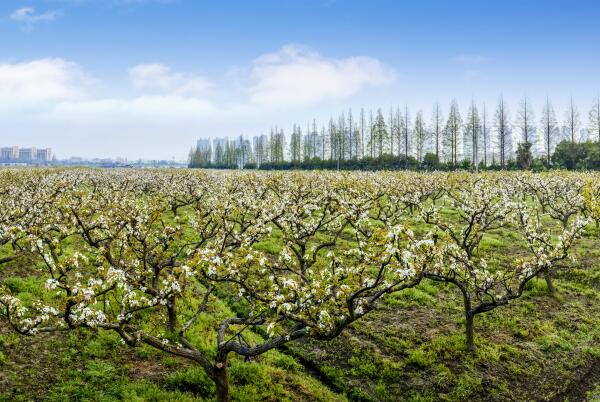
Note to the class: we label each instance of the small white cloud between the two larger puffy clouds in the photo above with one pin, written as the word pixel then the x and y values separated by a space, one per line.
pixel 160 78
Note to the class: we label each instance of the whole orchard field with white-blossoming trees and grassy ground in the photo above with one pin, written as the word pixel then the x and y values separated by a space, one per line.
pixel 198 285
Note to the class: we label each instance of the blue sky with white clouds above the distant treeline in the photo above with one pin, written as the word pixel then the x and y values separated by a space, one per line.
pixel 147 78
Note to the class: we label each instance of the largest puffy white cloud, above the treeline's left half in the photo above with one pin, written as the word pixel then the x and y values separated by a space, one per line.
pixel 294 76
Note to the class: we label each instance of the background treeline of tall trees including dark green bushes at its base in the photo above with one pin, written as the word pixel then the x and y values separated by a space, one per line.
pixel 393 140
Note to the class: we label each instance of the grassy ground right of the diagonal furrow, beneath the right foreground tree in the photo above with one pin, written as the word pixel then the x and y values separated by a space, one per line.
pixel 537 348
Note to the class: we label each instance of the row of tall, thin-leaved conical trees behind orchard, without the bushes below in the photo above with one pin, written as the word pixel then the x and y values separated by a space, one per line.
pixel 482 136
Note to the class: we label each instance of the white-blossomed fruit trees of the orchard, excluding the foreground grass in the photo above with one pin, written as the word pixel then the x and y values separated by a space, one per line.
pixel 144 253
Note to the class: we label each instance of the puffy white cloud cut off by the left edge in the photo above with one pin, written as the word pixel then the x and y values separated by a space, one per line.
pixel 41 80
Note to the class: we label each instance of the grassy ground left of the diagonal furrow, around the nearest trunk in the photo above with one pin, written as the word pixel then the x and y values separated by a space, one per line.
pixel 88 365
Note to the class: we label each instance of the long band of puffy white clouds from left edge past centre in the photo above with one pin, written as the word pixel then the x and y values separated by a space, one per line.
pixel 290 78
